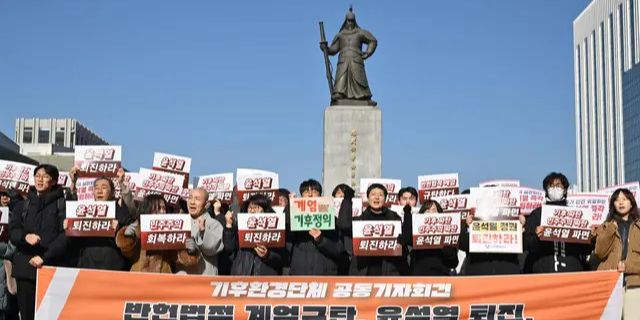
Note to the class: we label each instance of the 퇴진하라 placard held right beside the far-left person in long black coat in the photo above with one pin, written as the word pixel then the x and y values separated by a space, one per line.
pixel 90 218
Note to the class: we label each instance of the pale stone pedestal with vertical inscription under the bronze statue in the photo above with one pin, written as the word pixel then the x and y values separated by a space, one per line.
pixel 352 145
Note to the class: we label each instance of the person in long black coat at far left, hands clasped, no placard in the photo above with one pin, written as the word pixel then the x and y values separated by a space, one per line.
pixel 36 229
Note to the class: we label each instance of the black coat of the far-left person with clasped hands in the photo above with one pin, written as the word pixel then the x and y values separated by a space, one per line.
pixel 45 215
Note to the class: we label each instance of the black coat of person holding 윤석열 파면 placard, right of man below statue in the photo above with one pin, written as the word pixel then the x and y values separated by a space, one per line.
pixel 432 262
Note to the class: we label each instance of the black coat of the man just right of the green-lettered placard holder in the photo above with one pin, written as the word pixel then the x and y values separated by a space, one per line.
pixel 383 265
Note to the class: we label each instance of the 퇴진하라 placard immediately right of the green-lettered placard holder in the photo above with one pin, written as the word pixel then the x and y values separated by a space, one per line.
pixel 376 238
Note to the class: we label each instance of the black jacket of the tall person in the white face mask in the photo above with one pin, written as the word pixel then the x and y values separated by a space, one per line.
pixel 552 256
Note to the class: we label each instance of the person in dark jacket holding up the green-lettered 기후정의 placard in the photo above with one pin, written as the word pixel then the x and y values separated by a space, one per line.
pixel 314 252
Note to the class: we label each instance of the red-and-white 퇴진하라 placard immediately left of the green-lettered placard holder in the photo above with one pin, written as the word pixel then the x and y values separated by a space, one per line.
pixel 266 229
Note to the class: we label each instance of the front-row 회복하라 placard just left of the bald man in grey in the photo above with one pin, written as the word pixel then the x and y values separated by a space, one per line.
pixel 164 231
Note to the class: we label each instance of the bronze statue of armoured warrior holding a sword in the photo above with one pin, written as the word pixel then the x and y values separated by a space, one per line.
pixel 351 86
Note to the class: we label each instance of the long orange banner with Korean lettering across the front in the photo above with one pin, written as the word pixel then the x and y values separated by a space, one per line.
pixel 87 294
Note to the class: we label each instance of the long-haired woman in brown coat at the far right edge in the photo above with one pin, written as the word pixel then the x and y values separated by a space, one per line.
pixel 618 247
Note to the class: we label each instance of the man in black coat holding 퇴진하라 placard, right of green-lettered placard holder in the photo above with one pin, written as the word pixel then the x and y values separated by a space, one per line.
pixel 378 265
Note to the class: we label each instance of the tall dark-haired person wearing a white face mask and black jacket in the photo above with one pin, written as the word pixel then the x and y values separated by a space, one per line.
pixel 552 256
